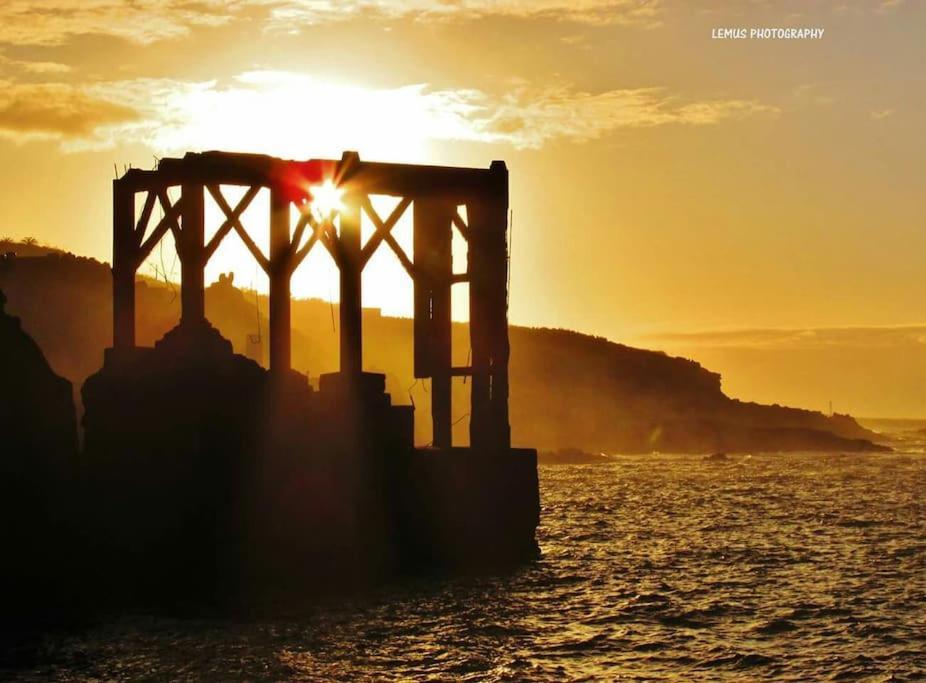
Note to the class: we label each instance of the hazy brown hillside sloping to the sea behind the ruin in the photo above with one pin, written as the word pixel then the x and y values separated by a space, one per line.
pixel 567 389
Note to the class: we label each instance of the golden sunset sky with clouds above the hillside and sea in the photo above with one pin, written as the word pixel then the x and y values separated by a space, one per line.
pixel 712 197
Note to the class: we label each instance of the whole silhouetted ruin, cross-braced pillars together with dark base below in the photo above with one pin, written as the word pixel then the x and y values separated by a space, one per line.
pixel 198 448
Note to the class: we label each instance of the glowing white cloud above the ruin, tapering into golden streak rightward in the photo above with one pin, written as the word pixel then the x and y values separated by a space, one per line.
pixel 387 121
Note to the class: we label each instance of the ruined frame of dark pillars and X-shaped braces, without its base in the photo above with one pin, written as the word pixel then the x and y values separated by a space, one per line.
pixel 436 194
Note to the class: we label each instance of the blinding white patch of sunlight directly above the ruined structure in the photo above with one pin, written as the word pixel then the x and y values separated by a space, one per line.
pixel 278 112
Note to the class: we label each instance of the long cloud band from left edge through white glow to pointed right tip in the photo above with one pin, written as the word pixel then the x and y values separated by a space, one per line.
pixel 293 114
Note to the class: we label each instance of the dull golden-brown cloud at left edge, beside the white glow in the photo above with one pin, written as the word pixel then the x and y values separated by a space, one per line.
pixel 57 111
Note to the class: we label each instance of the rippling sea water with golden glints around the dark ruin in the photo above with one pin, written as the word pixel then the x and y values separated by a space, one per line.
pixel 774 567
